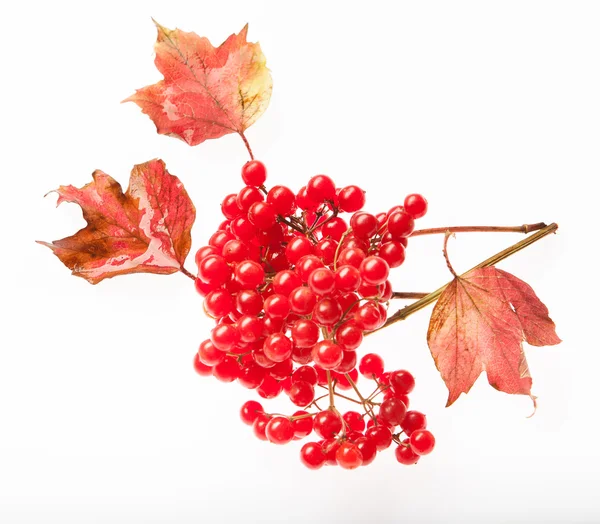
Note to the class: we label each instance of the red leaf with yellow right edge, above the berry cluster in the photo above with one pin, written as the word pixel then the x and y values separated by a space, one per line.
pixel 207 91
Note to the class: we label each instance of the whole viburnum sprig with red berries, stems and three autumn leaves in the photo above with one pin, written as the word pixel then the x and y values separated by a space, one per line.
pixel 296 279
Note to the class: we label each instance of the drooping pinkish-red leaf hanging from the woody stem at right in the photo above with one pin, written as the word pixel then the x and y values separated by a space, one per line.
pixel 479 323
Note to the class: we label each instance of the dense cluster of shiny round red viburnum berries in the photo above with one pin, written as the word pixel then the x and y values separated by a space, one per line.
pixel 293 288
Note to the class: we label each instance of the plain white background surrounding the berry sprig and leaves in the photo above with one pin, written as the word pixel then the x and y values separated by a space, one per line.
pixel 490 109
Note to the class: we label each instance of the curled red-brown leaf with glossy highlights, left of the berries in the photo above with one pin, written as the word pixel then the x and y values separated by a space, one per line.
pixel 144 230
